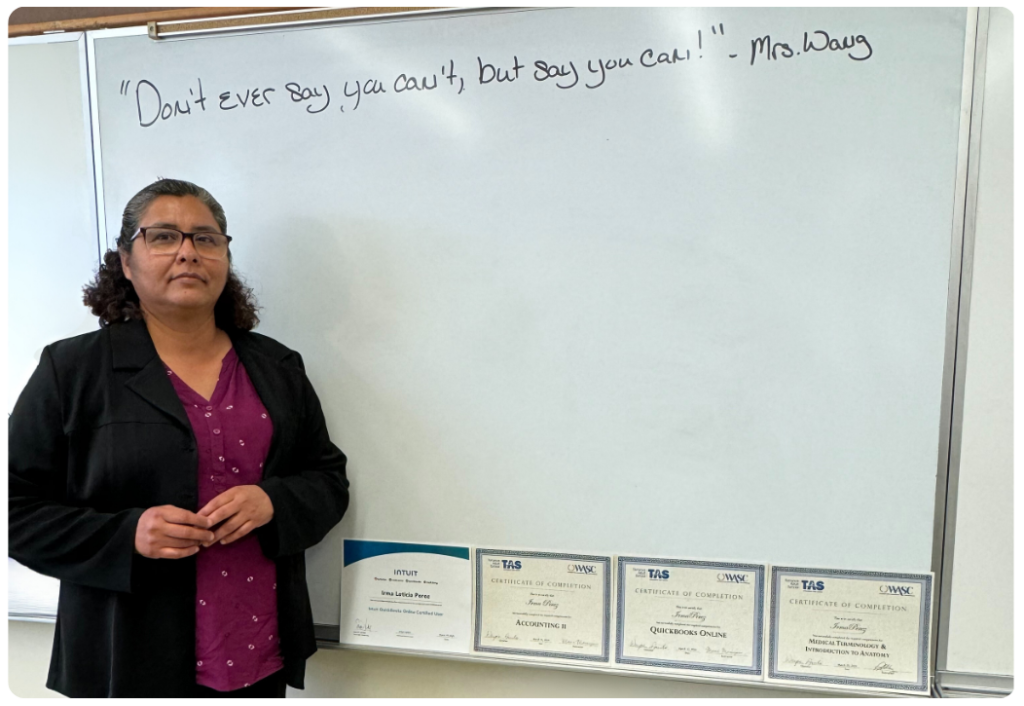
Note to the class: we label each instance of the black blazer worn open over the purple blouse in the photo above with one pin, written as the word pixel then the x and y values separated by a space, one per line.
pixel 98 438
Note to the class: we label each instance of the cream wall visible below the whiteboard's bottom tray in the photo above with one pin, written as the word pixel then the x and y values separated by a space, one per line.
pixel 357 676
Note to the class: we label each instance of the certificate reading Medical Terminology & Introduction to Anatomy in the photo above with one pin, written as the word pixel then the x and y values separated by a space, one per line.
pixel 850 630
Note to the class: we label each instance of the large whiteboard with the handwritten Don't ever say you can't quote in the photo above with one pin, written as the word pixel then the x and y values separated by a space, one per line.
pixel 698 311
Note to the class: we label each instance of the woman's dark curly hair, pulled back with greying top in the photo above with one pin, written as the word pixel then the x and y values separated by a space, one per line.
pixel 112 297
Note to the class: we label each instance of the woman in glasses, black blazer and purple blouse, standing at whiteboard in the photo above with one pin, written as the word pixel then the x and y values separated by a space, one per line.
pixel 170 471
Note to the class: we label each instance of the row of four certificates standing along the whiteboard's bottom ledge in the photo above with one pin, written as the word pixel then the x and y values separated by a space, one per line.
pixel 744 622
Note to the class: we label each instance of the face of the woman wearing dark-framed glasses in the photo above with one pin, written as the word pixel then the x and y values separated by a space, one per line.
pixel 185 283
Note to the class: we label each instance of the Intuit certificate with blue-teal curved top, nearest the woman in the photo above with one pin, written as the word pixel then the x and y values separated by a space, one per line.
pixel 407 597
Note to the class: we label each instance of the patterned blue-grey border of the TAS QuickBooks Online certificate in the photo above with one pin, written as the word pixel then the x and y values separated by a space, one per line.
pixel 759 617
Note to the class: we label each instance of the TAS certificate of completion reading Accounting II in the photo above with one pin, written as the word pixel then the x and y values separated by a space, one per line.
pixel 556 607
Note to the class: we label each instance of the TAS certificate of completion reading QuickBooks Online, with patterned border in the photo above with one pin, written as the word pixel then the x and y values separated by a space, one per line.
pixel 692 616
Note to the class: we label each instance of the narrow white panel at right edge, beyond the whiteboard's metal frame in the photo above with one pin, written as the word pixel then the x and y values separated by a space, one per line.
pixel 983 630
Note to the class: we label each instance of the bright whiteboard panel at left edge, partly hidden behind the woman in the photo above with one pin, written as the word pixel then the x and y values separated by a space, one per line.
pixel 53 239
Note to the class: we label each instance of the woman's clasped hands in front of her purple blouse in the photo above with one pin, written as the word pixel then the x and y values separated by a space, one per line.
pixel 172 533
